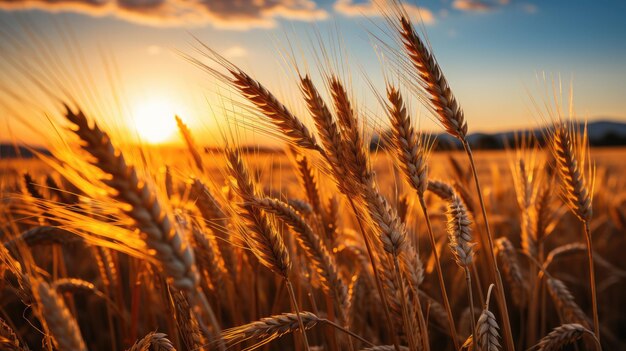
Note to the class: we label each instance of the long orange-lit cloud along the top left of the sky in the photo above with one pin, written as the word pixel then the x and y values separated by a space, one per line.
pixel 236 14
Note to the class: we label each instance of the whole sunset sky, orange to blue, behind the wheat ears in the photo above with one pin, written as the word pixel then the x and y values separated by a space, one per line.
pixel 494 53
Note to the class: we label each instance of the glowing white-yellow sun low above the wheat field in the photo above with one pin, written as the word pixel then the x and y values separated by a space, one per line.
pixel 154 120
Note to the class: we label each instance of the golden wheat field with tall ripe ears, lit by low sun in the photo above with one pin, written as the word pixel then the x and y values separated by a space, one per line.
pixel 324 244
